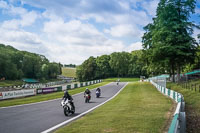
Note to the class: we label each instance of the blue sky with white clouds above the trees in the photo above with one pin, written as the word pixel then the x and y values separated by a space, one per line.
pixel 70 31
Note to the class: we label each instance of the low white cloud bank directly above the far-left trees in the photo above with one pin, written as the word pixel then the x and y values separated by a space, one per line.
pixel 23 40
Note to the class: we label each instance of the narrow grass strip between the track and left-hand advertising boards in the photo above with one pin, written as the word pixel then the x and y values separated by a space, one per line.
pixel 39 98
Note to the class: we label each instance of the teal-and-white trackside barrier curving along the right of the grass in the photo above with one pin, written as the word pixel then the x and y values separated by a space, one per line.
pixel 178 124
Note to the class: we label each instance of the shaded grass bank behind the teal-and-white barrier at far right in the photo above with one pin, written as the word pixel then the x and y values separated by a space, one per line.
pixel 192 107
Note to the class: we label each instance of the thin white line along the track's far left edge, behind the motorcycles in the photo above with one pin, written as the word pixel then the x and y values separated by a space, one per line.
pixel 44 101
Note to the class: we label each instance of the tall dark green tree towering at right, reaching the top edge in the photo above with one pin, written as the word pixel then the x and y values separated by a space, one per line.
pixel 168 39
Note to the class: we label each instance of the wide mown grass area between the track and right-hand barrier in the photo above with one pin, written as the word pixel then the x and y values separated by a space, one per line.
pixel 139 108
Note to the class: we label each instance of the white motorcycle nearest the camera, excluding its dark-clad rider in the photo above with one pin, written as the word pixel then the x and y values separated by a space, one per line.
pixel 67 107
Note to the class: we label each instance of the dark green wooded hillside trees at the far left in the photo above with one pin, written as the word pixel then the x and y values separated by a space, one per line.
pixel 15 64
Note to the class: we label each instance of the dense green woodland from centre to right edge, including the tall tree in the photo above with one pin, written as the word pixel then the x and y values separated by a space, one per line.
pixel 169 47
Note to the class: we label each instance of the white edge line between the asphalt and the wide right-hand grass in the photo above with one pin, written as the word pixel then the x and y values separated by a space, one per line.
pixel 67 121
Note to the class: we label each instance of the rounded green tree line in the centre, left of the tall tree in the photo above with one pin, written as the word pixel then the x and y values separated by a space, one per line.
pixel 117 64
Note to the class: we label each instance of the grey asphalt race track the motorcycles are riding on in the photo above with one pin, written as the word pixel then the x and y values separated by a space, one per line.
pixel 36 118
